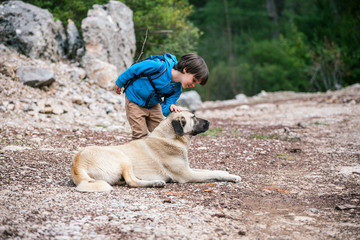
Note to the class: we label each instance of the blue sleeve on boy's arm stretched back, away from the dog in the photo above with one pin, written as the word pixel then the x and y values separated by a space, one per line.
pixel 144 67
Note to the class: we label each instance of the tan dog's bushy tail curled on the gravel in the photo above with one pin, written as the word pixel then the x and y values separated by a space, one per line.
pixel 84 182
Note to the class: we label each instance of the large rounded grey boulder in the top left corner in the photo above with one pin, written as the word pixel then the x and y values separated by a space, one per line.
pixel 32 31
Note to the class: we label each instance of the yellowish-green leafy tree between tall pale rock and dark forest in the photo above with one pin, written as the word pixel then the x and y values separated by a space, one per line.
pixel 169 29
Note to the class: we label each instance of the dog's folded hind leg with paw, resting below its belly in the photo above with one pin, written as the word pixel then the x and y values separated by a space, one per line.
pixel 133 181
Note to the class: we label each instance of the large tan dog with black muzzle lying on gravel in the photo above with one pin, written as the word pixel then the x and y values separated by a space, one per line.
pixel 150 162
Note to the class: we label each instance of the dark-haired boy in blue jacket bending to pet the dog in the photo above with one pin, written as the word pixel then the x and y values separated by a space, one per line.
pixel 154 85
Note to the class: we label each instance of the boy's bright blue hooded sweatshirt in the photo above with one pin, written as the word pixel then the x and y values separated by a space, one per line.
pixel 141 92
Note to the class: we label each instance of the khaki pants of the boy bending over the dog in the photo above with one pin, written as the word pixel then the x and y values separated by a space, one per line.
pixel 142 120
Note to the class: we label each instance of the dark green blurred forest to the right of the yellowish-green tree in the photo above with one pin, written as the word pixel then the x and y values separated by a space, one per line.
pixel 316 47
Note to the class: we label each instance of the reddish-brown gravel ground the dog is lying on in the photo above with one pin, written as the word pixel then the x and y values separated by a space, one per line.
pixel 299 160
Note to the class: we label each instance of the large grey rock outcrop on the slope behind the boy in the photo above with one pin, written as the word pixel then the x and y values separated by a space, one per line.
pixel 106 50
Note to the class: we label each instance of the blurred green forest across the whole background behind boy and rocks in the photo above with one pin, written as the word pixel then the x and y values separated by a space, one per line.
pixel 249 45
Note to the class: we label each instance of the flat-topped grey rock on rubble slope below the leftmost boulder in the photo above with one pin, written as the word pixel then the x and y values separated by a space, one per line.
pixel 35 77
